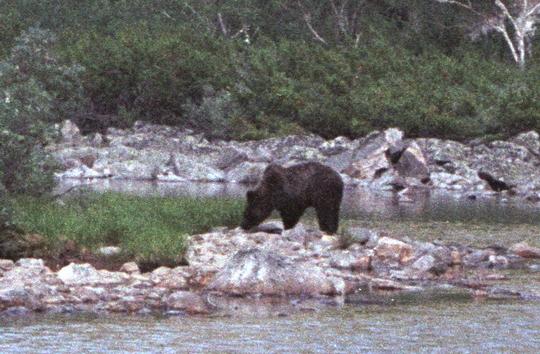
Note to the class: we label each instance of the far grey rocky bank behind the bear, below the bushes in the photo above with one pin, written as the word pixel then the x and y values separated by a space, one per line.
pixel 379 161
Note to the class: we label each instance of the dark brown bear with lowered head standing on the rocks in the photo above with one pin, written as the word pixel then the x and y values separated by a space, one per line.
pixel 291 191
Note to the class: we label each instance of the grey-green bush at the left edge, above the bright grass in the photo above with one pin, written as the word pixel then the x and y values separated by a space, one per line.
pixel 36 91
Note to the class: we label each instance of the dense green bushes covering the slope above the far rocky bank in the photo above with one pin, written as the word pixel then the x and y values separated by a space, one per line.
pixel 171 63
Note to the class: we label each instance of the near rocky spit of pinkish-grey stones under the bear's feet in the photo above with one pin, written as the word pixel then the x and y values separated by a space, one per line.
pixel 299 269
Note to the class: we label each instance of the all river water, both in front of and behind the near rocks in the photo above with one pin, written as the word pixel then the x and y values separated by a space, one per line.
pixel 437 321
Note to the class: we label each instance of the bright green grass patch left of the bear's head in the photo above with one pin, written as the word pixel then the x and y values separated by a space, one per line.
pixel 147 229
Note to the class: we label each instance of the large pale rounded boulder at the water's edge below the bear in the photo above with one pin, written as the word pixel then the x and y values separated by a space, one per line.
pixel 259 272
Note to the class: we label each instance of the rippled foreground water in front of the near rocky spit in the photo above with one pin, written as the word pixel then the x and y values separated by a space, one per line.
pixel 436 324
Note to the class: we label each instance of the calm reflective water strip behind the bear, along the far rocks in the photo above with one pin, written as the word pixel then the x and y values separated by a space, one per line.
pixel 358 203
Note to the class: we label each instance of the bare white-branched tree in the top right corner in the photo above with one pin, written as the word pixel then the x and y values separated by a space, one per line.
pixel 515 20
